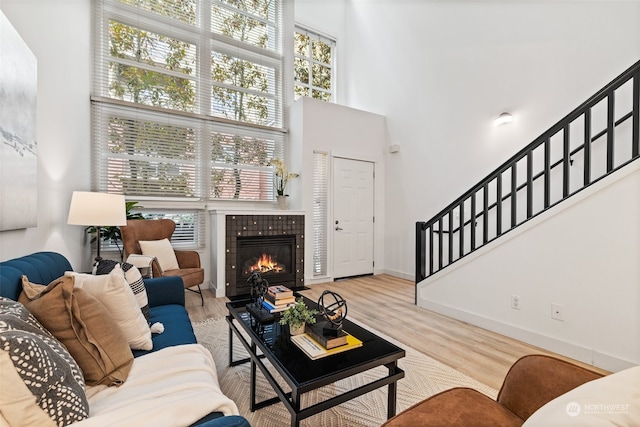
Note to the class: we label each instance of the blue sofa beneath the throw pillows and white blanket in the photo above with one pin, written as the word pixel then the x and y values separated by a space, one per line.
pixel 166 302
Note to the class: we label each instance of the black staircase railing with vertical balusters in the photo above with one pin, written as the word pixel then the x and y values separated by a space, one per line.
pixel 596 139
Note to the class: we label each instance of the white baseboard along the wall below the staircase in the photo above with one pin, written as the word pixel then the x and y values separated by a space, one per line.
pixel 582 354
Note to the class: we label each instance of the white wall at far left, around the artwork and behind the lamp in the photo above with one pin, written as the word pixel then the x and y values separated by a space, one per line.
pixel 59 35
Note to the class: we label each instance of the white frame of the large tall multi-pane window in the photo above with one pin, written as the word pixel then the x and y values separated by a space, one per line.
pixel 205 123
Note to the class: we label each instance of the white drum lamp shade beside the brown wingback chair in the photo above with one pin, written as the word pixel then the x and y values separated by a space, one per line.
pixel 97 209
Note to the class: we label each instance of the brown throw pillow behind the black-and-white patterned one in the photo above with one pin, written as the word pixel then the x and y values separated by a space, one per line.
pixel 86 329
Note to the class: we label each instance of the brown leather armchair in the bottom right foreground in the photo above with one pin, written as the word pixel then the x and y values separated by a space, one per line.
pixel 531 382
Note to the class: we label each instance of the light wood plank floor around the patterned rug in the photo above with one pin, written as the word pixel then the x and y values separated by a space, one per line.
pixel 386 303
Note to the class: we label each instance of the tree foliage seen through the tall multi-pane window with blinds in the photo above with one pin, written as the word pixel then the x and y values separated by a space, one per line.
pixel 149 157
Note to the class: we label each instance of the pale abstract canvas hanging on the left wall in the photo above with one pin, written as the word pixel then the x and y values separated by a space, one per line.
pixel 18 147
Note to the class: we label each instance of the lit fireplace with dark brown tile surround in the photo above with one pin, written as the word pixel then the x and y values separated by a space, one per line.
pixel 274 244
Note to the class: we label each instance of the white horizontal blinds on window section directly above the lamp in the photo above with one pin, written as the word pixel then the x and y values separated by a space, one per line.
pixel 145 153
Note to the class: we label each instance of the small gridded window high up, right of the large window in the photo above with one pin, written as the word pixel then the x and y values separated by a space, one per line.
pixel 313 65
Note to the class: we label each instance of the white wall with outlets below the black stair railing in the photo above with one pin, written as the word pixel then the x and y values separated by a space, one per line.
pixel 582 255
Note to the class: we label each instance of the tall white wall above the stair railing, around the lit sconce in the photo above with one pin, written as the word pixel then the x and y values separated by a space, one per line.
pixel 441 71
